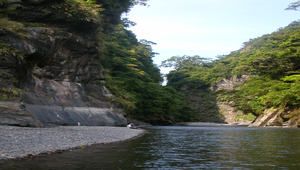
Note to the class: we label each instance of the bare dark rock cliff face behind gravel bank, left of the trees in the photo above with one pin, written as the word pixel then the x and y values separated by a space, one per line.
pixel 60 77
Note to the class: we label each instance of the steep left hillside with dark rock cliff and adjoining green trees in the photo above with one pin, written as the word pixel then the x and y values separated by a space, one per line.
pixel 72 62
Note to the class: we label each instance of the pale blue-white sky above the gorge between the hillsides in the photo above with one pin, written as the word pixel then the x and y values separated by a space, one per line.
pixel 207 28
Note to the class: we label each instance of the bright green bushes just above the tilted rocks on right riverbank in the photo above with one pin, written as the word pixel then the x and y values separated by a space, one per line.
pixel 260 93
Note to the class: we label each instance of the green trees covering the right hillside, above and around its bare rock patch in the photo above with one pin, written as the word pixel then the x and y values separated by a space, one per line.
pixel 272 60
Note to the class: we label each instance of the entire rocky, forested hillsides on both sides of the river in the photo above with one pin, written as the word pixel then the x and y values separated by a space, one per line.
pixel 73 62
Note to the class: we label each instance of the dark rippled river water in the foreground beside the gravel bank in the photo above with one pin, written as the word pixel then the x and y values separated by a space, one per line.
pixel 175 147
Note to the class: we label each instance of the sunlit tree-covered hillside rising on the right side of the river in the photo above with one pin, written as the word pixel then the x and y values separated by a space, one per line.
pixel 263 75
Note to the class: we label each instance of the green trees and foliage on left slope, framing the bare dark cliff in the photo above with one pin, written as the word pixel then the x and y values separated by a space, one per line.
pixel 129 70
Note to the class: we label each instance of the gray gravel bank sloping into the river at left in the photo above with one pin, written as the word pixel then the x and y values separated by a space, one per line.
pixel 20 141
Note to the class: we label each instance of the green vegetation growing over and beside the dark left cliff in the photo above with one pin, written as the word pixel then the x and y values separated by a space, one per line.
pixel 130 74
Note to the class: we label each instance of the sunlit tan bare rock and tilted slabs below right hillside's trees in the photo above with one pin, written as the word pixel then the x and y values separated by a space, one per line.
pixel 231 114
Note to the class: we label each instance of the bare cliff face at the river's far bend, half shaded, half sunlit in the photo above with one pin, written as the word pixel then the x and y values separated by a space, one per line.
pixel 210 106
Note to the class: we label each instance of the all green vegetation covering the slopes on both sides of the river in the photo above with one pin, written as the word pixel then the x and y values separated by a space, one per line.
pixel 271 61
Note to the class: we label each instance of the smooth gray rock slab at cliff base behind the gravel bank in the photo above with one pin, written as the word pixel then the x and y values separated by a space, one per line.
pixel 77 116
